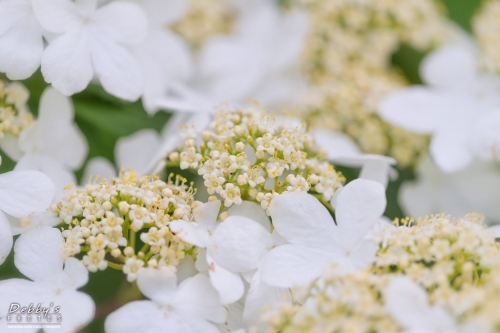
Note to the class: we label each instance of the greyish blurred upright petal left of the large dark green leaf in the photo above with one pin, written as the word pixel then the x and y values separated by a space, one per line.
pixel 58 137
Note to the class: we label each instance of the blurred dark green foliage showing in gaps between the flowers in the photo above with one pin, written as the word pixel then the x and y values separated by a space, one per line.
pixel 103 119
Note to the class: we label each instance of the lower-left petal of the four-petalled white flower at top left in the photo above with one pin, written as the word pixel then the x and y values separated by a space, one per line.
pixel 66 62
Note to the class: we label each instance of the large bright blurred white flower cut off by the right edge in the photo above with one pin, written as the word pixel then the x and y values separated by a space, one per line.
pixel 451 108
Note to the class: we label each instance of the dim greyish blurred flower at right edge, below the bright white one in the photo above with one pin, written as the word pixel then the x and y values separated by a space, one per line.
pixel 473 189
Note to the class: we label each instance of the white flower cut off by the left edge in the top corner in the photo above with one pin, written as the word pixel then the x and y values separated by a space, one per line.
pixel 21 43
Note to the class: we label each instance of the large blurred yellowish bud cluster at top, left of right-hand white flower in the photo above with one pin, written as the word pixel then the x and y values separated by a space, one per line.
pixel 347 59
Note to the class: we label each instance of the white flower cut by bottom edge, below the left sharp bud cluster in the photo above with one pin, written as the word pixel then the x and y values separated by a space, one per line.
pixel 190 307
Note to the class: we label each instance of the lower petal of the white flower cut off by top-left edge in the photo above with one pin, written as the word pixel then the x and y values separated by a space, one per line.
pixel 21 49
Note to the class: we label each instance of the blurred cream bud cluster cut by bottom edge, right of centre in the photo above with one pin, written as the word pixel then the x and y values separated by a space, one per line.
pixel 338 303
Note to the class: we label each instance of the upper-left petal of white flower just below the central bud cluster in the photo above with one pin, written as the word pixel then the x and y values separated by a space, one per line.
pixel 301 219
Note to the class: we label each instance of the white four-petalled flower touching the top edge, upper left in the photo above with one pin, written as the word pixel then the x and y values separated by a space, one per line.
pixel 92 40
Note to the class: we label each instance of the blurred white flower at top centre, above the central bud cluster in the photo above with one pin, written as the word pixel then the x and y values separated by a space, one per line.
pixel 258 61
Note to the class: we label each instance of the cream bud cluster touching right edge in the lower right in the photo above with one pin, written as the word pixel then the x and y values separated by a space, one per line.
pixel 439 252
